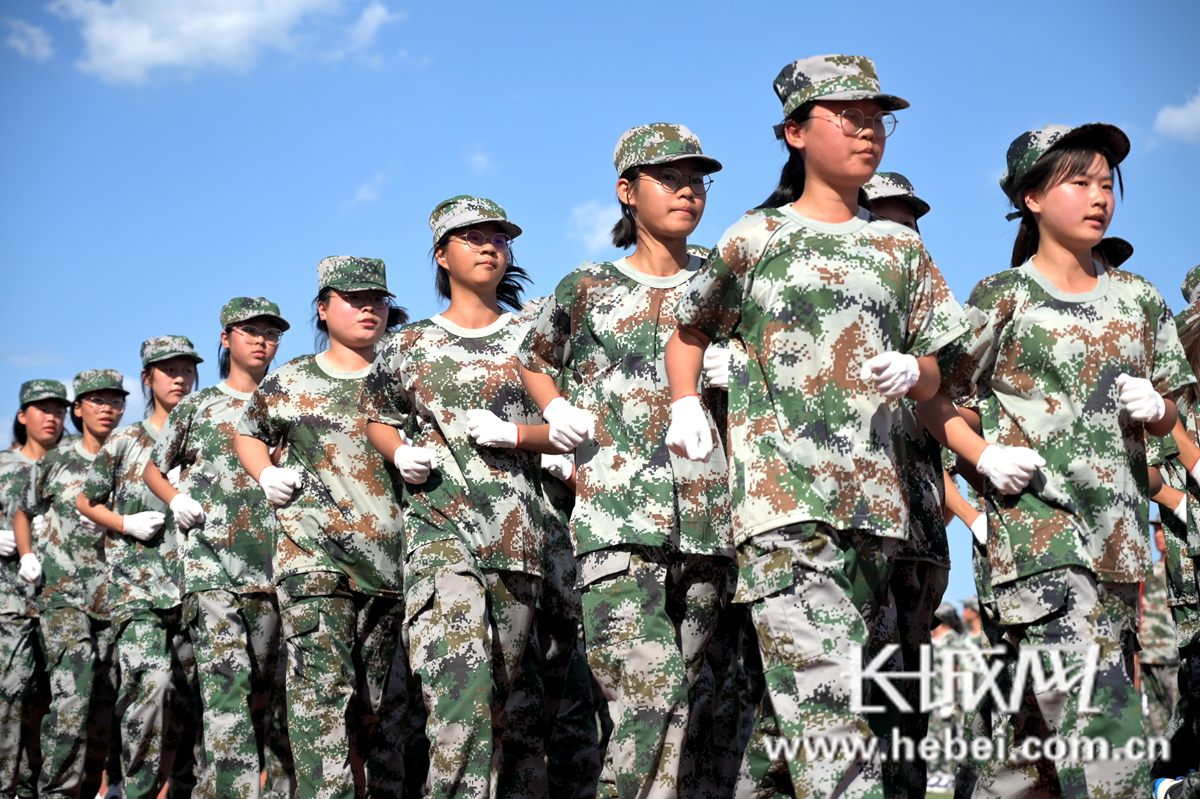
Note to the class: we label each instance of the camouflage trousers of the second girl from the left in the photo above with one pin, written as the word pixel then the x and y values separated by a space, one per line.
pixel 76 732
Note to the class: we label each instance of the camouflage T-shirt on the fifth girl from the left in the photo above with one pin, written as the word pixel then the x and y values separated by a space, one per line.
pixel 345 519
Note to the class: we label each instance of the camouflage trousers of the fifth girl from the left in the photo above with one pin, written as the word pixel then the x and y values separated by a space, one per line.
pixel 346 688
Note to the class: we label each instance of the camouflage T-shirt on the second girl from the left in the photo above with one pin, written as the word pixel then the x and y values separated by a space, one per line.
pixel 74 573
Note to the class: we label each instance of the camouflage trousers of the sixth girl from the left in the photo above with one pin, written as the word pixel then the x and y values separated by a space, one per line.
pixel 466 633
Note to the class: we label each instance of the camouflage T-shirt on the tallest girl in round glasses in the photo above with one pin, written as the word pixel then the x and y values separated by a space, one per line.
pixel 809 441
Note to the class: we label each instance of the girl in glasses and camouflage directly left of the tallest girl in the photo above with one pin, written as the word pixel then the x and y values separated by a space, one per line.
pixel 651 531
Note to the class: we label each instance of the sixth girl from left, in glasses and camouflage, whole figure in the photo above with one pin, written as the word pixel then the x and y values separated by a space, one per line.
pixel 473 525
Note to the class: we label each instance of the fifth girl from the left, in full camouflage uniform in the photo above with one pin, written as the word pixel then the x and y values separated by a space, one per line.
pixel 339 554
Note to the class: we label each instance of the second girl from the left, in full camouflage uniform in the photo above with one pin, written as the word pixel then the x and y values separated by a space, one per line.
pixel 68 558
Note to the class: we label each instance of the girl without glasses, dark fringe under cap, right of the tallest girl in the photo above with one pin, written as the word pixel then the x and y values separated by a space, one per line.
pixel 1097 358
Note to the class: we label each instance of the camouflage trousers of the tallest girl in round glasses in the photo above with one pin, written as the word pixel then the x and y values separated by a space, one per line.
pixel 815 596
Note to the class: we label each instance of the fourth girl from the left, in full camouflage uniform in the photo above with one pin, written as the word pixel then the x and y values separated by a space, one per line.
pixel 227 537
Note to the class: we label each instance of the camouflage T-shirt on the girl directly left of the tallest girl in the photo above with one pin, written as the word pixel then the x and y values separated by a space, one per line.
pixel 602 338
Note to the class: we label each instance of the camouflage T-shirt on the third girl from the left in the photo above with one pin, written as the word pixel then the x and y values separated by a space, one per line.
pixel 141 574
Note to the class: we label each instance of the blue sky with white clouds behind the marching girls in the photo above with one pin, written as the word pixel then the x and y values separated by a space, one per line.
pixel 161 157
